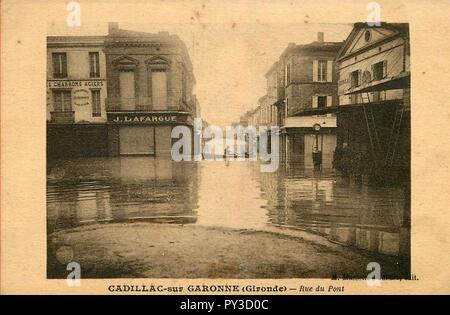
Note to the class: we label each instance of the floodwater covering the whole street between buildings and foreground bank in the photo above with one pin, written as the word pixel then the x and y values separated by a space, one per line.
pixel 235 194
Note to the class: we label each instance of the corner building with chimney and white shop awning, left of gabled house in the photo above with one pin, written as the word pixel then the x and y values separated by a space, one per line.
pixel 307 100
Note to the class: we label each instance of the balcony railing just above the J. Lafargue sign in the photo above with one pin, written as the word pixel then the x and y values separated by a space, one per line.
pixel 117 104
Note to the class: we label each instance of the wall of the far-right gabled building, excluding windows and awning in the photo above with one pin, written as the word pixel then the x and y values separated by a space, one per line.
pixel 391 48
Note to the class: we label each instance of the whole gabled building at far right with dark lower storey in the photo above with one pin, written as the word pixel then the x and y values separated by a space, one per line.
pixel 374 95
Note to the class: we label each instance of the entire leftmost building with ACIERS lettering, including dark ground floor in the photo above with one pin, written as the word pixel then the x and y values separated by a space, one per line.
pixel 76 93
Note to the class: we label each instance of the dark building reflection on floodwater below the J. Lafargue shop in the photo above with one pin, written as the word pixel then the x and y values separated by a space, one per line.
pixel 121 189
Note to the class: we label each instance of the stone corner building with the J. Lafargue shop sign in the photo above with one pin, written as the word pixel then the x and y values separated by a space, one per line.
pixel 150 83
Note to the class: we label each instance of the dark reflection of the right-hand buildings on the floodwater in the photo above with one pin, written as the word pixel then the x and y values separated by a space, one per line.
pixel 367 217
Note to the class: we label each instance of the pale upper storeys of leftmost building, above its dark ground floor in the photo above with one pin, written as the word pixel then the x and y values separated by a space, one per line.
pixel 76 79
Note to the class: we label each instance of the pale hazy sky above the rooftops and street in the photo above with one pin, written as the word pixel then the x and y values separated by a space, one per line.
pixel 229 60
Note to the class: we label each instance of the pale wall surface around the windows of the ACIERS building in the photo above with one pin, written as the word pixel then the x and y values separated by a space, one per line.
pixel 82 83
